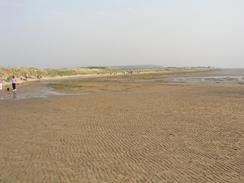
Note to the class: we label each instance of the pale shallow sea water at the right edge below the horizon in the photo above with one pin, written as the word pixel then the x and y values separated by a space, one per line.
pixel 218 76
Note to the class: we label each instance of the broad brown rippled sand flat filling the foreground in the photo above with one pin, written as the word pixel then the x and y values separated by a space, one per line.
pixel 175 133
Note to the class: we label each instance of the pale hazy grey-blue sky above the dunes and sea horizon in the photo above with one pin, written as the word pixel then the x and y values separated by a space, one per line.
pixel 62 33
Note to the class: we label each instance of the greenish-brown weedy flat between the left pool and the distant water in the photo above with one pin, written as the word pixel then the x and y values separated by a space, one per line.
pixel 150 77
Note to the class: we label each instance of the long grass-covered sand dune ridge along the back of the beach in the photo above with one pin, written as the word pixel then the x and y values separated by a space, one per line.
pixel 37 73
